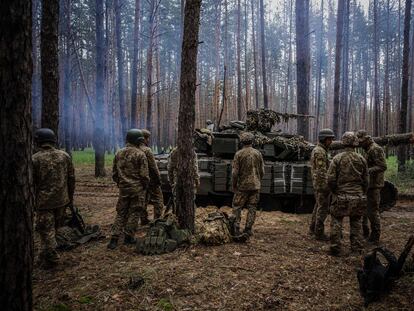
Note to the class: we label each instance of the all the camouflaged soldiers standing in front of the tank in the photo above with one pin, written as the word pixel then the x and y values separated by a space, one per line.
pixel 347 186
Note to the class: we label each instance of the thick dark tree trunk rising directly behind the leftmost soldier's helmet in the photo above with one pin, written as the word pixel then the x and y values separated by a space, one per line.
pixel 50 64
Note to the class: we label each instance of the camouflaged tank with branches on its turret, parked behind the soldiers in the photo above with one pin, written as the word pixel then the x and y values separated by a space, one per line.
pixel 287 183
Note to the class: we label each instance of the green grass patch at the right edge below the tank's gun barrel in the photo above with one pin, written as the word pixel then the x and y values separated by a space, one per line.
pixel 404 181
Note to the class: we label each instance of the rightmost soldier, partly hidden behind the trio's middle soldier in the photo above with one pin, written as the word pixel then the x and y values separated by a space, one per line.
pixel 377 165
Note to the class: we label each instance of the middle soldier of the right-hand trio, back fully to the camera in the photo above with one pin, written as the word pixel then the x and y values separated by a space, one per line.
pixel 348 182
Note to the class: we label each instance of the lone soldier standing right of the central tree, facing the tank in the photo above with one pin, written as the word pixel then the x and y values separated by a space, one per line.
pixel 247 172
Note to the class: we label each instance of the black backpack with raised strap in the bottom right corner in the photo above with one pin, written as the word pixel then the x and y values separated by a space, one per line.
pixel 375 279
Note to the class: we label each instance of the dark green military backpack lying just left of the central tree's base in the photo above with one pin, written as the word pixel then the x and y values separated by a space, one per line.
pixel 163 236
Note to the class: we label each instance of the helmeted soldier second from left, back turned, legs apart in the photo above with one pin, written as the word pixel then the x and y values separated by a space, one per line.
pixel 130 172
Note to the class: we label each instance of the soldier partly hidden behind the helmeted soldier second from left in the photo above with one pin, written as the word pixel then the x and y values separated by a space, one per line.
pixel 154 193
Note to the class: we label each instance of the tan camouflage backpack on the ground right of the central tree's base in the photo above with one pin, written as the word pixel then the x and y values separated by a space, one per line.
pixel 215 229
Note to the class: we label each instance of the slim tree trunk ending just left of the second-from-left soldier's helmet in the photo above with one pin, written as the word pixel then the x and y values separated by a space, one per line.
pixel 120 63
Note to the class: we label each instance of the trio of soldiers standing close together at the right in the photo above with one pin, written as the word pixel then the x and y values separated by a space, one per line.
pixel 349 185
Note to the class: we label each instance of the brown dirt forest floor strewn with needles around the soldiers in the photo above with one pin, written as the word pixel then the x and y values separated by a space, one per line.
pixel 280 268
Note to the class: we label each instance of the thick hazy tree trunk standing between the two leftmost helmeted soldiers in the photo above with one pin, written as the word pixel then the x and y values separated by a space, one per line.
pixel 98 136
